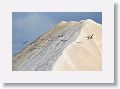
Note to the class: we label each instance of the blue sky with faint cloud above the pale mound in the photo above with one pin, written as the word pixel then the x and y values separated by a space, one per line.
pixel 27 26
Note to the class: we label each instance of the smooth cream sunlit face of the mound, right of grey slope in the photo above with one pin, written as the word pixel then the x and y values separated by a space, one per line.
pixel 83 54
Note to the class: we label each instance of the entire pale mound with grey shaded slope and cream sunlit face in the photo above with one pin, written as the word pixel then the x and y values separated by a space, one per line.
pixel 69 46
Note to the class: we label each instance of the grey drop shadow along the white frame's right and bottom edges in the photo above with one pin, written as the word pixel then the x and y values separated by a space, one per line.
pixel 115 84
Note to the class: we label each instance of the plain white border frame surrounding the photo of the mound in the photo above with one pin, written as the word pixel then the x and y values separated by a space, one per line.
pixel 104 76
